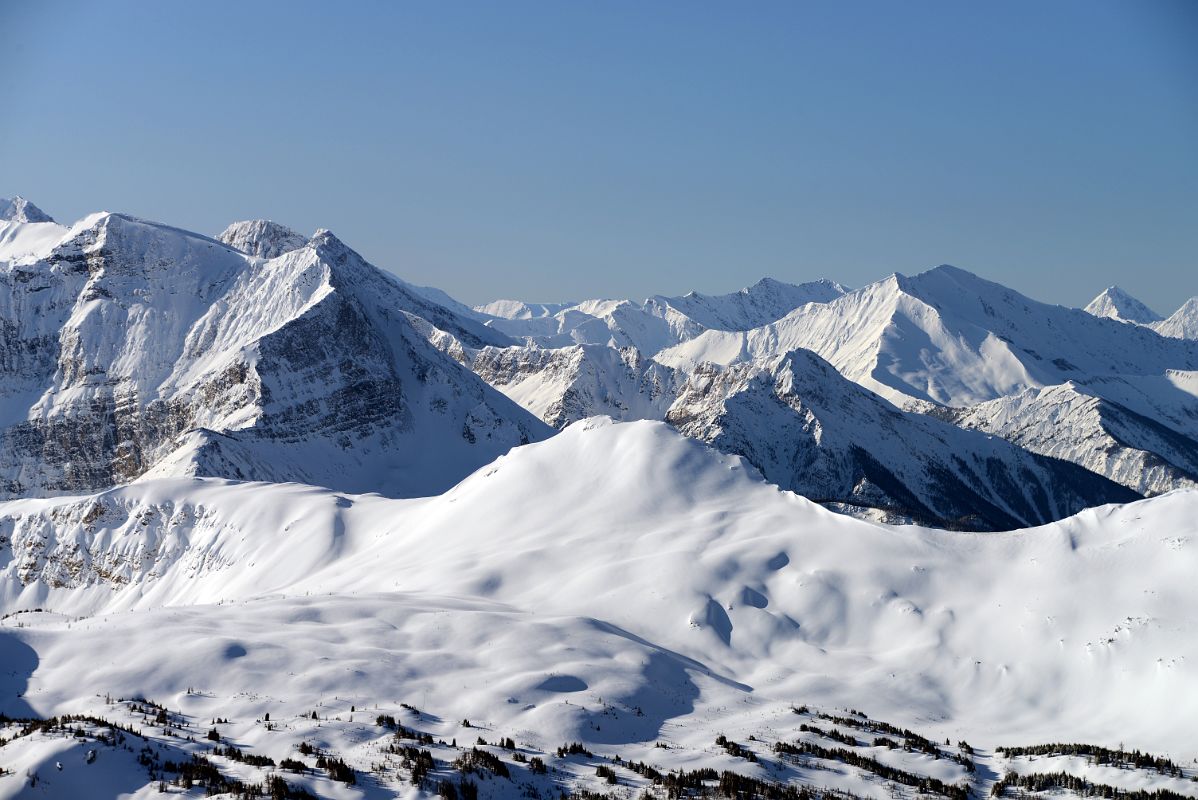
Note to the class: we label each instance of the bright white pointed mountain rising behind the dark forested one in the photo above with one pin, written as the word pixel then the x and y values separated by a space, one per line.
pixel 947 337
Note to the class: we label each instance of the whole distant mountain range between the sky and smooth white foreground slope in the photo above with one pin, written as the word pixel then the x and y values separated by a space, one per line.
pixel 135 350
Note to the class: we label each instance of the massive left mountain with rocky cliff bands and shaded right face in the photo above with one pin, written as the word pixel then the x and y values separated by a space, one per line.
pixel 134 349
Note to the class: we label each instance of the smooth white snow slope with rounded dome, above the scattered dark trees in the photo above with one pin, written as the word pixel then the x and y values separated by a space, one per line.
pixel 614 568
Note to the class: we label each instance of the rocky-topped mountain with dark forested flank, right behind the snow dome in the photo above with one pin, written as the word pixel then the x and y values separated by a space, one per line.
pixel 810 431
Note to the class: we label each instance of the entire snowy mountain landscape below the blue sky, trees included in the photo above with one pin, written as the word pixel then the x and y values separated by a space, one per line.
pixel 275 523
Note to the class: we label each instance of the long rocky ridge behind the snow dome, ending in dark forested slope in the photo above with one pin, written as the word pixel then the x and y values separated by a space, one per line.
pixel 810 431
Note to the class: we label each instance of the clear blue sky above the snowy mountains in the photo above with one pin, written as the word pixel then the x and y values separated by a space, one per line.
pixel 566 150
